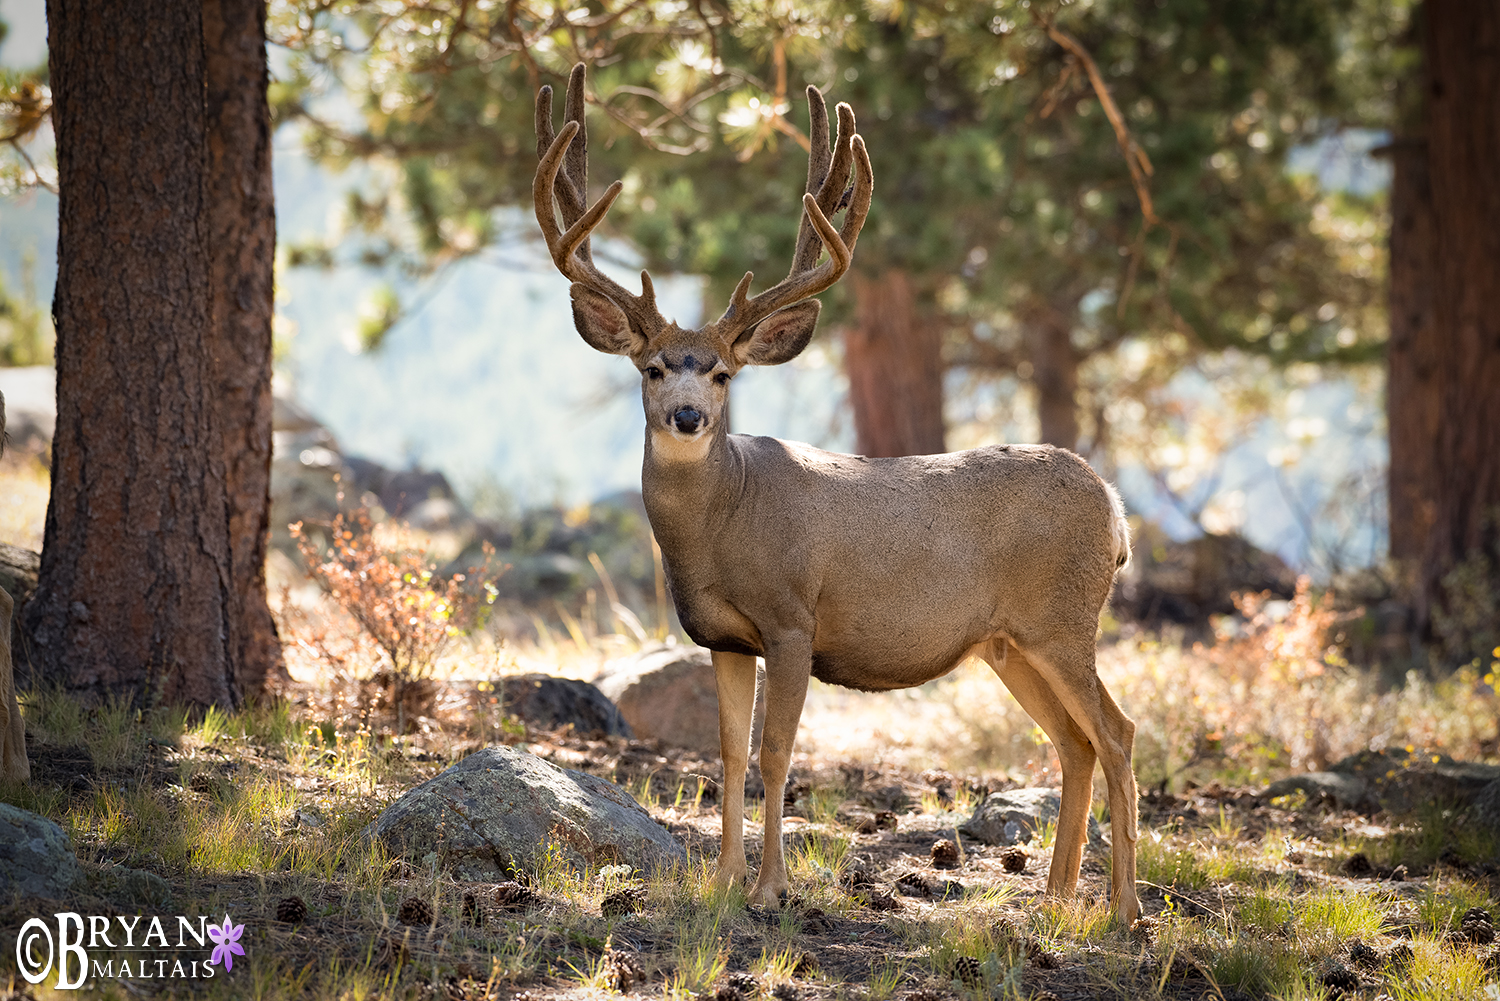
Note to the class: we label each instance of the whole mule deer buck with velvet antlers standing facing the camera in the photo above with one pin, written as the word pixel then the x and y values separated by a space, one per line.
pixel 871 574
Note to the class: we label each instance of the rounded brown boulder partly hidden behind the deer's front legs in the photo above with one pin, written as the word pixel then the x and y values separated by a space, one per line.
pixel 670 694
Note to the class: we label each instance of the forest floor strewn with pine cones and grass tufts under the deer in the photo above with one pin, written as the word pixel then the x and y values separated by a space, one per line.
pixel 1244 898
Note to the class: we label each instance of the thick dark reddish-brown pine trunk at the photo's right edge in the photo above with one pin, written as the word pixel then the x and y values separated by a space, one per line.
pixel 1463 142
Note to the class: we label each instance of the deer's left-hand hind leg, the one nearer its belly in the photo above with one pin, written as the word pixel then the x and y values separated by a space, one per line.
pixel 1075 753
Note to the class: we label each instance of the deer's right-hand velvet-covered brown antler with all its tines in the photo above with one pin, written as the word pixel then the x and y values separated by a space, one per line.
pixel 827 175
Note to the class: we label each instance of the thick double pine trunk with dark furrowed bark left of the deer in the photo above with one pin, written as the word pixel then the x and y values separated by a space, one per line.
pixel 143 591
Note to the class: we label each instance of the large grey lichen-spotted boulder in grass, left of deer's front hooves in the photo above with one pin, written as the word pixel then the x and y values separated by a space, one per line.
pixel 496 814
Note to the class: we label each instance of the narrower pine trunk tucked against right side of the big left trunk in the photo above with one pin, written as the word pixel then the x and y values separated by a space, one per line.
pixel 242 227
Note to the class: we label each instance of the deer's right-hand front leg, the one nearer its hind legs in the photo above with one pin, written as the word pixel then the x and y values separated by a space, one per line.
pixel 788 667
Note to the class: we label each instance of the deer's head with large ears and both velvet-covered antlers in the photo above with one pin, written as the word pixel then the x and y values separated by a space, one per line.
pixel 685 374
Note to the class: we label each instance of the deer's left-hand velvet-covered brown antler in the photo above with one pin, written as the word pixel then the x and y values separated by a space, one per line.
pixel 563 172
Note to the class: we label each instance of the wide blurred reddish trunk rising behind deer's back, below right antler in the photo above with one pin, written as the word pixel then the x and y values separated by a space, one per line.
pixel 893 359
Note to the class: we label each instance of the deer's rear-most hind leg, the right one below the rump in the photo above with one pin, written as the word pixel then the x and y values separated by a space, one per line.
pixel 1069 669
